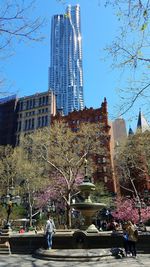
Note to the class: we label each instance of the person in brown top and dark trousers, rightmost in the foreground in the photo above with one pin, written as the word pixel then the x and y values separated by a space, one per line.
pixel 132 233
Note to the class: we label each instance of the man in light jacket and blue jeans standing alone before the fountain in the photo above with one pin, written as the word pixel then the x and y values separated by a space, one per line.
pixel 49 231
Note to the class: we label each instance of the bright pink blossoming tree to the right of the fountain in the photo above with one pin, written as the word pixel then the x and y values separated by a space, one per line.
pixel 126 210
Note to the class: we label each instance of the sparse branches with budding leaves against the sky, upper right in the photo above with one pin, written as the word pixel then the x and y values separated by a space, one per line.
pixel 130 50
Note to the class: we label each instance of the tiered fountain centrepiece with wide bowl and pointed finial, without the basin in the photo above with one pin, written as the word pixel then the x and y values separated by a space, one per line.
pixel 87 208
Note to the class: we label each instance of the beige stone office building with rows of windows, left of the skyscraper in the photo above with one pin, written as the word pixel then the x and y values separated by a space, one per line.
pixel 34 112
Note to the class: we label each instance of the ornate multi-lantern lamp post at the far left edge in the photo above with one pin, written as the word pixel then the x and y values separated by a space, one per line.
pixel 9 200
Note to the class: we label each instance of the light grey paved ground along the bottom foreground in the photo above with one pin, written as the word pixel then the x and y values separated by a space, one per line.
pixel 28 261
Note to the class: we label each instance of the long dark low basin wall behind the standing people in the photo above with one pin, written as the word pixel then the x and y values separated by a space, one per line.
pixel 29 243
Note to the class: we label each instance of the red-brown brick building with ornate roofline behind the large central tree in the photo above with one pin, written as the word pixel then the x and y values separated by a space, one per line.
pixel 103 164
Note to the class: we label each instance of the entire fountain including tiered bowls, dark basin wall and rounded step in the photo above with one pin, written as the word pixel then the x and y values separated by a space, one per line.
pixel 84 238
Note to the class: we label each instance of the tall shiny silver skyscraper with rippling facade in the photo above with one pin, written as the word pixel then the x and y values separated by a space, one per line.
pixel 66 73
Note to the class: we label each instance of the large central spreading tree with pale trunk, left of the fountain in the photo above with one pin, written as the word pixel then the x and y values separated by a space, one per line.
pixel 63 152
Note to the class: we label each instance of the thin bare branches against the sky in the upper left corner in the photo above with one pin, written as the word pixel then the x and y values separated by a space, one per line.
pixel 16 25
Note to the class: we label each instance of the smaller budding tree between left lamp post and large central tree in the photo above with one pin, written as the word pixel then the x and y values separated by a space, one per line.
pixel 29 173
